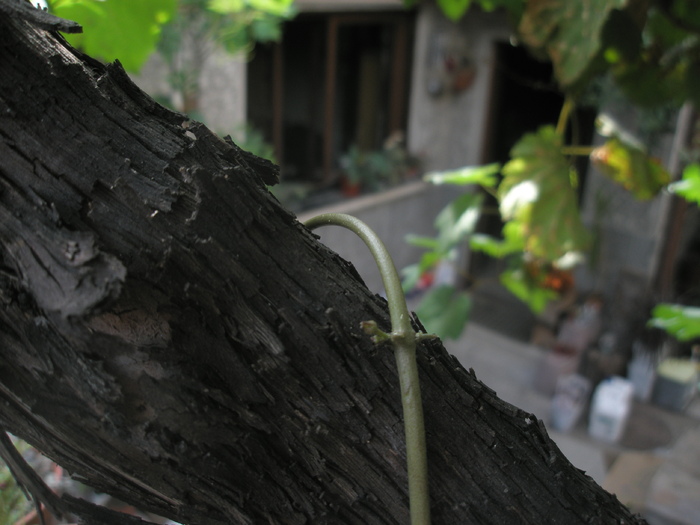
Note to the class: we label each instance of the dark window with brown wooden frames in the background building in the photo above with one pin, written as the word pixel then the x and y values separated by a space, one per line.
pixel 336 80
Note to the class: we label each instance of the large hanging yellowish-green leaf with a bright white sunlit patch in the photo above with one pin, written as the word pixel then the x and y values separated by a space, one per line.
pixel 537 196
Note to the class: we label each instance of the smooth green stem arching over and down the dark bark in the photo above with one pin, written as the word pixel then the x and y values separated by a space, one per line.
pixel 404 340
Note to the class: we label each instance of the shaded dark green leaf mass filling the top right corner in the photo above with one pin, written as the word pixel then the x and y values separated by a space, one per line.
pixel 652 50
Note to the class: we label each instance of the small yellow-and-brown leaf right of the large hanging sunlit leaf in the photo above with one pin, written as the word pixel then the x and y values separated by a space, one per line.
pixel 630 167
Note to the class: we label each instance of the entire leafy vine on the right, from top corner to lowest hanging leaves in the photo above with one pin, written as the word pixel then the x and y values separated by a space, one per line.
pixel 650 52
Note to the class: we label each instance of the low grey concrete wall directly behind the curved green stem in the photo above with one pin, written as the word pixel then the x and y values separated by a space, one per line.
pixel 392 215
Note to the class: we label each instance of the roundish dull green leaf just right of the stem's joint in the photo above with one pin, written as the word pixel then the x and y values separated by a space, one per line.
pixel 445 311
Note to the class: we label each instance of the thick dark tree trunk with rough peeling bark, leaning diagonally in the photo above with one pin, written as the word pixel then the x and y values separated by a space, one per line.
pixel 172 336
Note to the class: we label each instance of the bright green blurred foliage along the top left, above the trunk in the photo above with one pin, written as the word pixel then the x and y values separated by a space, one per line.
pixel 182 31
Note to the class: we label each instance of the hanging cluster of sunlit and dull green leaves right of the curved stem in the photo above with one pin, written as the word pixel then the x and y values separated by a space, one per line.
pixel 537 201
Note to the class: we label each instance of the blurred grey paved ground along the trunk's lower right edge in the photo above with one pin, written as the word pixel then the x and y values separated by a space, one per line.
pixel 655 467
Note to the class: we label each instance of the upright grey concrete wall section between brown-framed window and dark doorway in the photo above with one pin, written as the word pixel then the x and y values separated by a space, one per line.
pixel 448 129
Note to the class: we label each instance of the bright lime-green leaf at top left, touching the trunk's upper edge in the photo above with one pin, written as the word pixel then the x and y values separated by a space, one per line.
pixel 126 30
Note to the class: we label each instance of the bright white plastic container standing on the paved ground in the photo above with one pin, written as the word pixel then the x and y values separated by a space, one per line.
pixel 610 408
